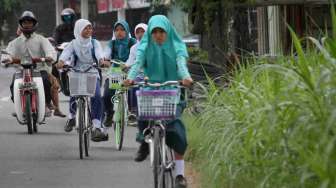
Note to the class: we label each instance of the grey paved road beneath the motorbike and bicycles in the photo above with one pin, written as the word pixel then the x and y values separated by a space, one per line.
pixel 50 158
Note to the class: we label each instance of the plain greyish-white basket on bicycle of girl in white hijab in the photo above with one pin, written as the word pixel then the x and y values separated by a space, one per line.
pixel 82 84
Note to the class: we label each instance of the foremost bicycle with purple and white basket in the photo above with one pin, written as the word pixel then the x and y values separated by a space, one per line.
pixel 157 107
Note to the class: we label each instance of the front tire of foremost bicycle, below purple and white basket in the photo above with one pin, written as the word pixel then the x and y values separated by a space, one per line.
pixel 157 156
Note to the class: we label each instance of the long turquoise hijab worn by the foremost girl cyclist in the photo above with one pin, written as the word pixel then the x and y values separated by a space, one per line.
pixel 160 61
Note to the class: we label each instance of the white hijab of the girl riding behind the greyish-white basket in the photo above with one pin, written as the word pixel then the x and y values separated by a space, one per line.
pixel 82 46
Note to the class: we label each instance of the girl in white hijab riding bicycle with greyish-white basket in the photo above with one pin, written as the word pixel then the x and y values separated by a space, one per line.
pixel 85 50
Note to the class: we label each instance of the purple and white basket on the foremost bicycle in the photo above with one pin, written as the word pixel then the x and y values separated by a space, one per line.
pixel 157 104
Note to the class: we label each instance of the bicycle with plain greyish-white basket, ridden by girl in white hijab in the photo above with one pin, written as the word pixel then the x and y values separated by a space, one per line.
pixel 82 86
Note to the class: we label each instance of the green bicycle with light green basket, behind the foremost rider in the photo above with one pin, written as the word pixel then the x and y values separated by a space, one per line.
pixel 120 106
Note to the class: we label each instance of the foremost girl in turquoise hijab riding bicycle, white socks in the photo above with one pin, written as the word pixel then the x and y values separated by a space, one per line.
pixel 162 55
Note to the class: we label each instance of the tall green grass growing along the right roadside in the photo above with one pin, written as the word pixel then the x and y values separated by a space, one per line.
pixel 274 126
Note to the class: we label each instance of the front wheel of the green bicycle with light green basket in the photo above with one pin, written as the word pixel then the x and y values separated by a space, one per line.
pixel 120 123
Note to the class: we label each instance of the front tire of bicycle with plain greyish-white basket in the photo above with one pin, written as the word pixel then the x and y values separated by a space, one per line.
pixel 80 108
